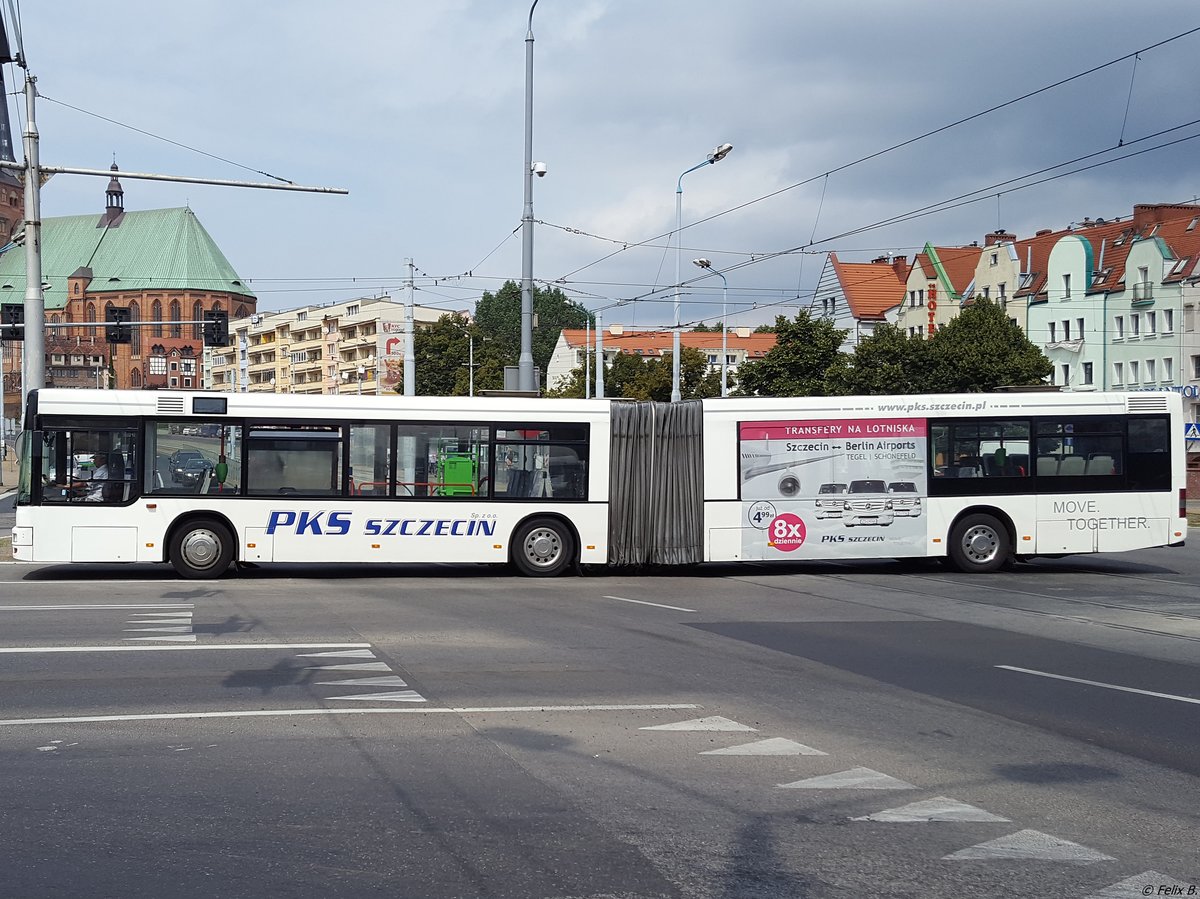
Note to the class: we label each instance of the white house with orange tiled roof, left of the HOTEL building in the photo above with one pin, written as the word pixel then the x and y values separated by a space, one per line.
pixel 861 296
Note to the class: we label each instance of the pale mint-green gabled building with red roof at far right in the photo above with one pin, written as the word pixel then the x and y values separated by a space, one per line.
pixel 1119 309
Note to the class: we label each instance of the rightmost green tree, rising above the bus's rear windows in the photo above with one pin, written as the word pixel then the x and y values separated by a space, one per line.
pixel 982 350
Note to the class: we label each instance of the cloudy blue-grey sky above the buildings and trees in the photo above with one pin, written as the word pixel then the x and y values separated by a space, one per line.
pixel 418 110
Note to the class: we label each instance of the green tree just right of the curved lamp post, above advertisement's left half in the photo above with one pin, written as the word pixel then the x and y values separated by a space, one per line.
pixel 802 362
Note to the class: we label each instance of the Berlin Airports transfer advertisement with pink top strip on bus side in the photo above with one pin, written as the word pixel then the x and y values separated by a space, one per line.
pixel 855 486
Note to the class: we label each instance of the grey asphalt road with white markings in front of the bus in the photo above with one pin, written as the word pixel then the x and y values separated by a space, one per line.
pixel 836 730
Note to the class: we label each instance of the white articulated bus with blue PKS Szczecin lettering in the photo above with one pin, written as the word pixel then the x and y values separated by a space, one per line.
pixel 206 482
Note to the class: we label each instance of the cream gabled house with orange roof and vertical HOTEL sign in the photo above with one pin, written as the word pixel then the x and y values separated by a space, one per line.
pixel 939 281
